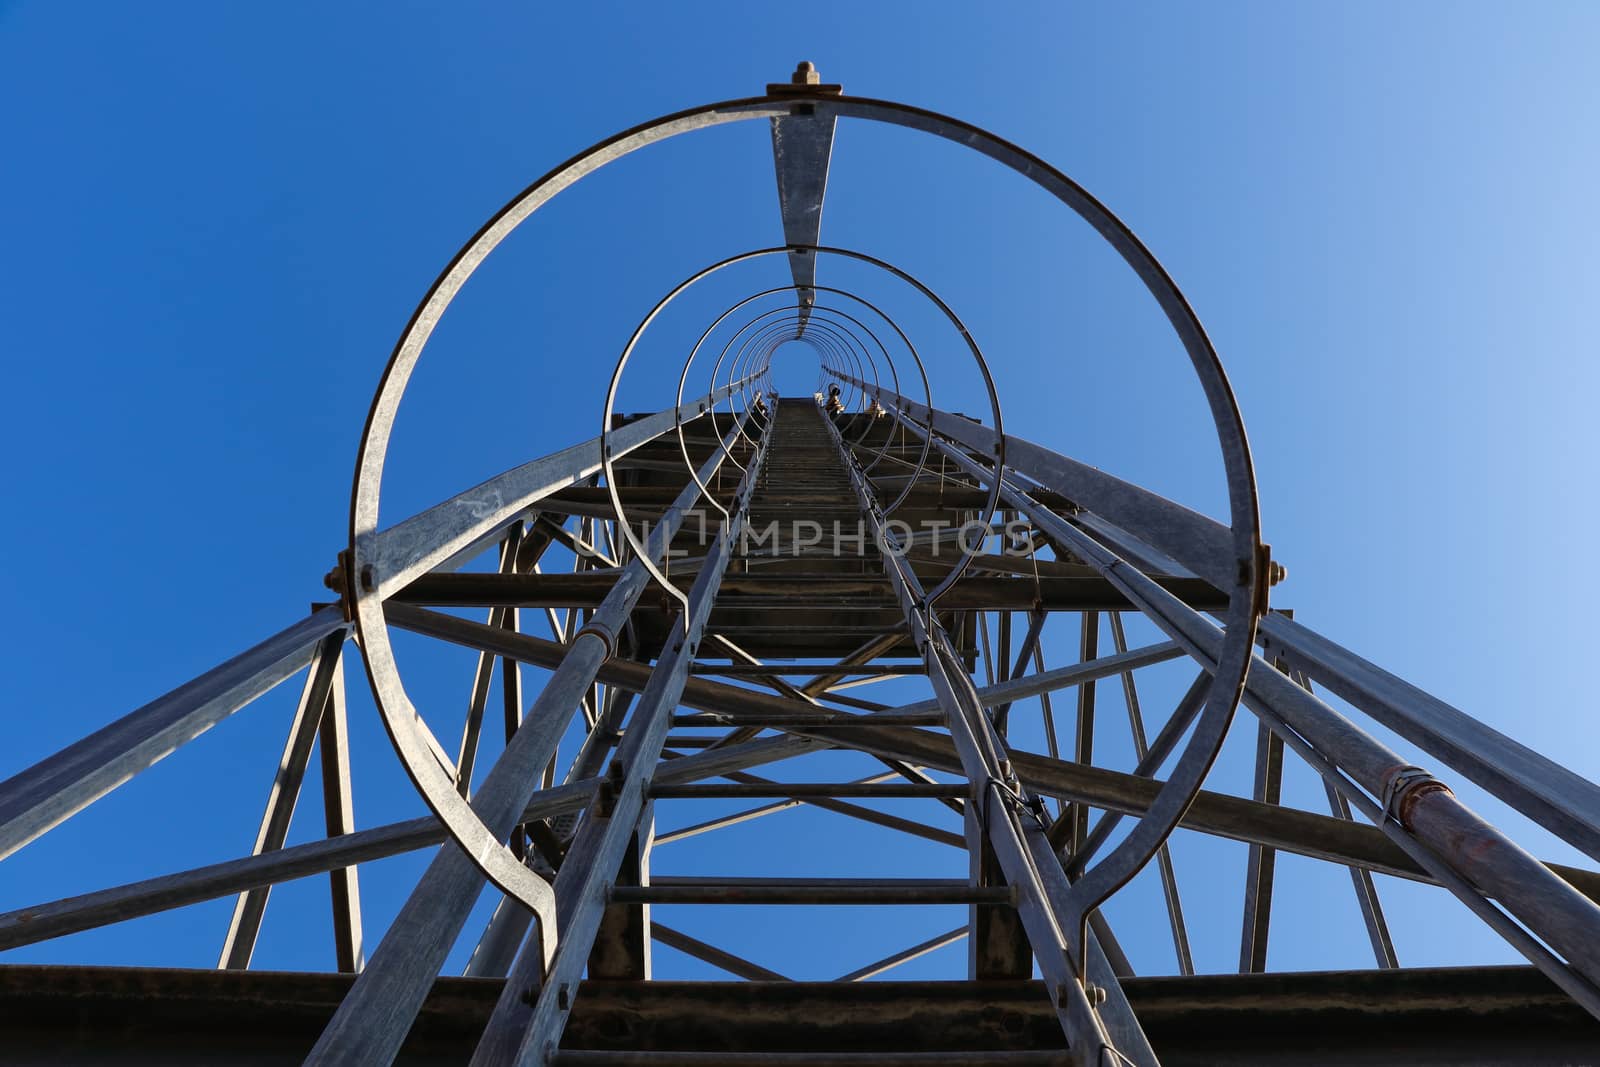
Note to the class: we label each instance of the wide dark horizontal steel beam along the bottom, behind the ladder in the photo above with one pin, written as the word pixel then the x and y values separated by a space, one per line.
pixel 180 1018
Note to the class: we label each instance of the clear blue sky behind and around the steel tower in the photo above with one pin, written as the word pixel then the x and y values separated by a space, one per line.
pixel 217 220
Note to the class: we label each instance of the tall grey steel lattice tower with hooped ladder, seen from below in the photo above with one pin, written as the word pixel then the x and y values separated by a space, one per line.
pixel 650 645
